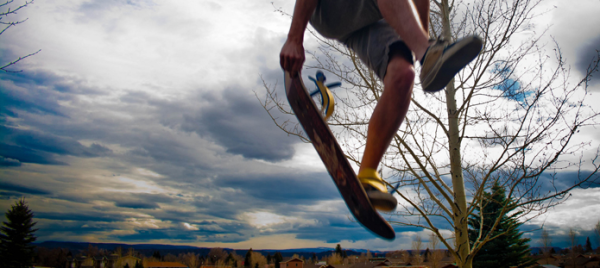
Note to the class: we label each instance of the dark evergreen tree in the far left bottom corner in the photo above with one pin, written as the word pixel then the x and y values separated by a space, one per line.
pixel 16 237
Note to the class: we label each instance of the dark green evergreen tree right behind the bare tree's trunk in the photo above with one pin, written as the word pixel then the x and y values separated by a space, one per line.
pixel 507 250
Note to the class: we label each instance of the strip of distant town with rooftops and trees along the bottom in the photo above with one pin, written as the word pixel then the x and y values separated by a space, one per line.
pixel 103 255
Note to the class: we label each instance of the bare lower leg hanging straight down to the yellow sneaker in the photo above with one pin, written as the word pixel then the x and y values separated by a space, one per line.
pixel 390 110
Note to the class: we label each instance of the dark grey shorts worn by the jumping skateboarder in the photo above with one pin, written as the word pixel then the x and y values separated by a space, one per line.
pixel 358 24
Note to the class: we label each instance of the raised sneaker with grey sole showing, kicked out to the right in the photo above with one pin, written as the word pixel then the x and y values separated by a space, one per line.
pixel 441 61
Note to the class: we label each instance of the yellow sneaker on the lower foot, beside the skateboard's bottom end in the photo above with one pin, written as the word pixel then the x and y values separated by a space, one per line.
pixel 377 191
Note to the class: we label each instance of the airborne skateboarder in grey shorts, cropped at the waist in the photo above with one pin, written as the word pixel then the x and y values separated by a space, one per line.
pixel 387 35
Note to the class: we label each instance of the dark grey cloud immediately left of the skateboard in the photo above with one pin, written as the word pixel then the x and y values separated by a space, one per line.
pixel 235 120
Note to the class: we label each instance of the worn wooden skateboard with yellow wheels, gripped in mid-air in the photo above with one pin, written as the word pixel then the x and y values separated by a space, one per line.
pixel 317 130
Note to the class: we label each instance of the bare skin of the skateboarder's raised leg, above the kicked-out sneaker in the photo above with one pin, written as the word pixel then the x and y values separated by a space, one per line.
pixel 400 14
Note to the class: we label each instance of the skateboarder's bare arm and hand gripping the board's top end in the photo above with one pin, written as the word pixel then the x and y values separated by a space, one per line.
pixel 292 56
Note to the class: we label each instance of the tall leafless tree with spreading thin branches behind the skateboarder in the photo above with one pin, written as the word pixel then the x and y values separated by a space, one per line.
pixel 512 117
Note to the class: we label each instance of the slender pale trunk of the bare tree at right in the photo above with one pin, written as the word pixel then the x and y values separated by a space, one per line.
pixel 459 208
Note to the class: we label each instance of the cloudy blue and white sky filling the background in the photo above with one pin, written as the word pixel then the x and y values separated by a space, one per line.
pixel 138 122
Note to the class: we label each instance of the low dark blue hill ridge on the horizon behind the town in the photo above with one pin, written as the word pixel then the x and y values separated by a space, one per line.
pixel 149 249
